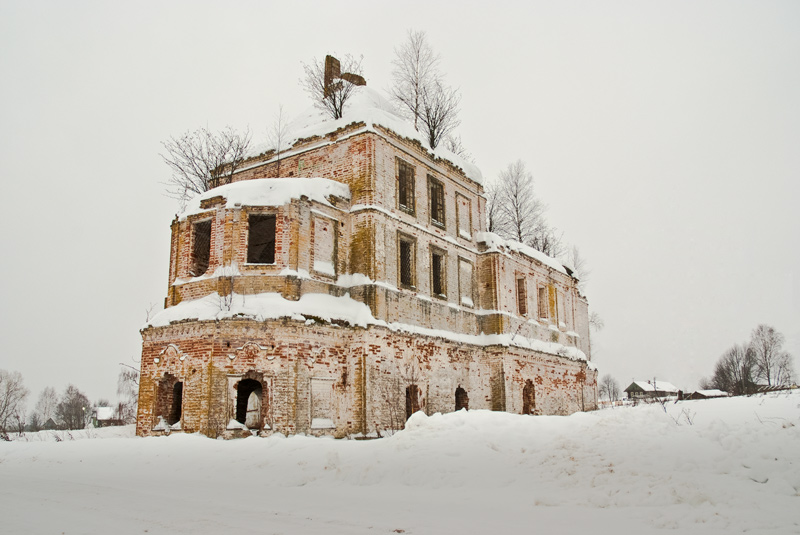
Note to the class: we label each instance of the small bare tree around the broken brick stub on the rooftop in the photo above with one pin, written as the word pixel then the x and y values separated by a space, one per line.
pixel 330 84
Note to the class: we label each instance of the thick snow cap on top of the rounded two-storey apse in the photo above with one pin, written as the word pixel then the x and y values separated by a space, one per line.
pixel 271 192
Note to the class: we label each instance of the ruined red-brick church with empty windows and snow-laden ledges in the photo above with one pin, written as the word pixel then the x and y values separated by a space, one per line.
pixel 347 282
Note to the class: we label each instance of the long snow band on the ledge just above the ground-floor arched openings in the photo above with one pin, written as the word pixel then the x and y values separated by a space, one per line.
pixel 330 308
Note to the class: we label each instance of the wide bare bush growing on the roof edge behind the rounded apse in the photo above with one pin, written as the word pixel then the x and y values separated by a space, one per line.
pixel 202 160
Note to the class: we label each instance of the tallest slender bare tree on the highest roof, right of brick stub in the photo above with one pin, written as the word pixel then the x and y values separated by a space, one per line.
pixel 416 67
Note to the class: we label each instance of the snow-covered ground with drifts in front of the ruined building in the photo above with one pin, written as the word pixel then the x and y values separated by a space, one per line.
pixel 714 466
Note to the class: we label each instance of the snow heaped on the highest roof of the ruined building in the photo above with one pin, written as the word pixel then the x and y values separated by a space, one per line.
pixel 368 106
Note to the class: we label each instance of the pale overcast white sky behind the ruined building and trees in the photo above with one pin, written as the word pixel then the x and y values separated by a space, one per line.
pixel 664 136
